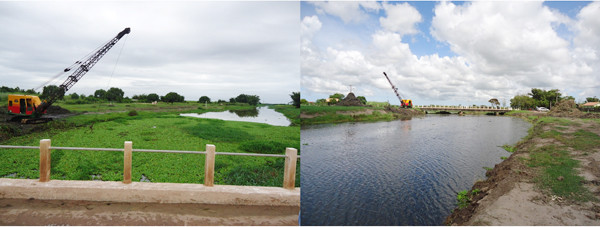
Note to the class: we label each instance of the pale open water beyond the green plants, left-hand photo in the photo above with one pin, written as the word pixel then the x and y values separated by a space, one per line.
pixel 259 115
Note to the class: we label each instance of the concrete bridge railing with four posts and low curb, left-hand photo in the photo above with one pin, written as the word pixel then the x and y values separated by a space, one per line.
pixel 136 192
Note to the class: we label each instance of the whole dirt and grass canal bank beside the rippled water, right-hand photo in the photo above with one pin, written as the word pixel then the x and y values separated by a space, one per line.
pixel 552 178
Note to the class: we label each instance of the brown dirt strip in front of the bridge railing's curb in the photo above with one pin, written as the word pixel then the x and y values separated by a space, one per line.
pixel 58 212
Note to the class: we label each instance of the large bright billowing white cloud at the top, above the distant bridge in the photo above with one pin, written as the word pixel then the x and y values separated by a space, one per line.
pixel 502 38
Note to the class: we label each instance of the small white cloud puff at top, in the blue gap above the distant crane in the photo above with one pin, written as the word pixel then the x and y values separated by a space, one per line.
pixel 401 18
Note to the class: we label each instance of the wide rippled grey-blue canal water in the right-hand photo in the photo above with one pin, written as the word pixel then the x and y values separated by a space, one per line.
pixel 399 172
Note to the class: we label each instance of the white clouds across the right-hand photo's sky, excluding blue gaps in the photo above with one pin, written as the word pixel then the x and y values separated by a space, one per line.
pixel 502 49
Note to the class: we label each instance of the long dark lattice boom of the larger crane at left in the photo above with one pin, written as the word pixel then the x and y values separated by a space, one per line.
pixel 85 66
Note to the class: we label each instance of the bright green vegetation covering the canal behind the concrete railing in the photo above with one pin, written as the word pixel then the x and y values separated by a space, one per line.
pixel 159 128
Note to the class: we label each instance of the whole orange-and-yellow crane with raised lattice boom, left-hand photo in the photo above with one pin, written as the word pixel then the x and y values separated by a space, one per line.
pixel 29 108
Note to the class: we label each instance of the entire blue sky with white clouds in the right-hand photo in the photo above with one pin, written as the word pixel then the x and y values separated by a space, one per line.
pixel 450 52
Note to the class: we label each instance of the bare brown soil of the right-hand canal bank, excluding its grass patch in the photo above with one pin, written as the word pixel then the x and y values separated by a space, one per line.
pixel 509 196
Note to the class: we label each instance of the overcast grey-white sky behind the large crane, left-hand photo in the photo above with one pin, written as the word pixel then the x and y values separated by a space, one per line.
pixel 193 48
